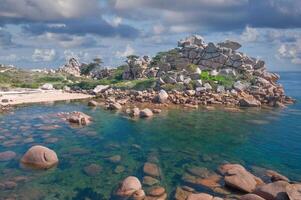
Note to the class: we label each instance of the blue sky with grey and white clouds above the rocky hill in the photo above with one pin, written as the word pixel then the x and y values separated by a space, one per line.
pixel 46 33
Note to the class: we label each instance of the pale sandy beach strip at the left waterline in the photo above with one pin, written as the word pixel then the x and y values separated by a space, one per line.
pixel 37 96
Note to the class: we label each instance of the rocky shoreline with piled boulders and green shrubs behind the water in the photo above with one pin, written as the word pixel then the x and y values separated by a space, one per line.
pixel 195 73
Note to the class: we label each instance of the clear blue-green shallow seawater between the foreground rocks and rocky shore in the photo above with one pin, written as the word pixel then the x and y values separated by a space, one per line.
pixel 267 138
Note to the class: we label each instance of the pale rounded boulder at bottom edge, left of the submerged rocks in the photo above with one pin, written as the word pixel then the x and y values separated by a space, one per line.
pixel 130 188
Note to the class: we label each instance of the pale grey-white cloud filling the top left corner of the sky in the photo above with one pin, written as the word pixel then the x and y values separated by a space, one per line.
pixel 46 10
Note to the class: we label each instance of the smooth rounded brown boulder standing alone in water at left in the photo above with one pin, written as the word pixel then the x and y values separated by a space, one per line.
pixel 40 157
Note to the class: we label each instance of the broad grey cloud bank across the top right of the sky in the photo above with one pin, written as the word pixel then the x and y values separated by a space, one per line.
pixel 214 14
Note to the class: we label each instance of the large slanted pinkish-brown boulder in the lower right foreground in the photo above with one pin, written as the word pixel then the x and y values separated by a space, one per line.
pixel 237 177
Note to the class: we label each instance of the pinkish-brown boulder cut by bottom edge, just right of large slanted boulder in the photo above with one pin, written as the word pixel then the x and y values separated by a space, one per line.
pixel 273 191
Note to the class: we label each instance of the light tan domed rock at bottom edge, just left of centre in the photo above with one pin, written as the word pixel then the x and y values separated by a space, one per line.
pixel 129 186
